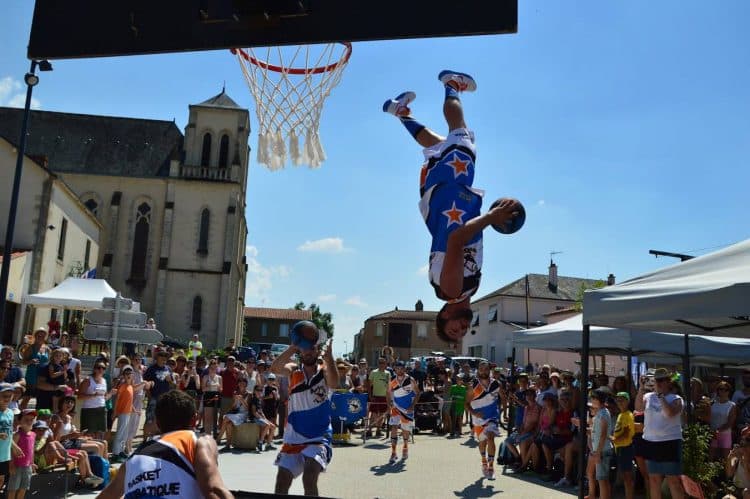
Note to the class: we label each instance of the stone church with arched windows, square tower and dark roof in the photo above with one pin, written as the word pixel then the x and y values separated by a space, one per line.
pixel 172 207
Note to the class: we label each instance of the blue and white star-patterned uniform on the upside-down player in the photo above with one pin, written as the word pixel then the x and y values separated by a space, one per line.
pixel 448 202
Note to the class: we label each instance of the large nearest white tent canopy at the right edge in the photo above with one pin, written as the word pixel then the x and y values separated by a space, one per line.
pixel 706 295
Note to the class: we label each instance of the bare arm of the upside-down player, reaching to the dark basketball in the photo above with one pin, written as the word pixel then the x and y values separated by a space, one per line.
pixel 452 275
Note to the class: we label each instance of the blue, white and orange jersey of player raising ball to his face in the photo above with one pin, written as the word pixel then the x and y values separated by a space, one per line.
pixel 309 409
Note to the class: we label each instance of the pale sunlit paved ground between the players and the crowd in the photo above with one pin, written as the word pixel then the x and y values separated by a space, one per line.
pixel 437 468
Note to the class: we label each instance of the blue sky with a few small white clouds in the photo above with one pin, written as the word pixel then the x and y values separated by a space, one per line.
pixel 622 127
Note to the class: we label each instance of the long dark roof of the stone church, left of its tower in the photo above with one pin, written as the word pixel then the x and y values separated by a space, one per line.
pixel 99 145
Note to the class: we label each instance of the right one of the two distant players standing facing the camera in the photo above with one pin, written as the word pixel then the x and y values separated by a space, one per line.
pixel 482 402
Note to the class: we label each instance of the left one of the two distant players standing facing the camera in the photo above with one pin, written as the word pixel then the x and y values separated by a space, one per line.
pixel 402 396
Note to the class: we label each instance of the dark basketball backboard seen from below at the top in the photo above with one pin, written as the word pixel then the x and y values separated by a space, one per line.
pixel 96 28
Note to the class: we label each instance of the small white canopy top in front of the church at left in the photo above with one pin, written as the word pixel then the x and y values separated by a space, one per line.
pixel 73 293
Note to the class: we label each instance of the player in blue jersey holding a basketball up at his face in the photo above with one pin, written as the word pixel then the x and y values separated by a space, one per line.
pixel 307 437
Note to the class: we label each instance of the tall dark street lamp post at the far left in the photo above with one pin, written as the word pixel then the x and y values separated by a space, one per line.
pixel 31 80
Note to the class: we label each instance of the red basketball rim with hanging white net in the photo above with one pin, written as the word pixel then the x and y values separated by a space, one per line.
pixel 290 85
